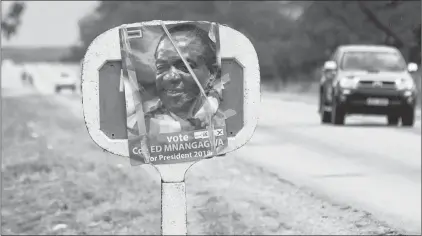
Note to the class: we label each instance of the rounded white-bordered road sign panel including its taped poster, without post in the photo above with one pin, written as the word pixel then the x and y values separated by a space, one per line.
pixel 171 92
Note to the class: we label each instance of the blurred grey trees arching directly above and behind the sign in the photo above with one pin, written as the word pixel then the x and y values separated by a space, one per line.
pixel 260 21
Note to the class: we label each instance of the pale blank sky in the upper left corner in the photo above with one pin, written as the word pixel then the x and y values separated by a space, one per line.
pixel 48 23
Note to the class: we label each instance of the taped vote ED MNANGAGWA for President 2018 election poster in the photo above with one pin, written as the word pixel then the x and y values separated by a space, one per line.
pixel 172 80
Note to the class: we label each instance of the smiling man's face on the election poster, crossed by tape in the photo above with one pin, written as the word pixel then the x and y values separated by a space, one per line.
pixel 176 87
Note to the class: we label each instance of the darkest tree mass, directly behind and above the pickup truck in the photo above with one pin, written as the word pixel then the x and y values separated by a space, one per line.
pixel 325 25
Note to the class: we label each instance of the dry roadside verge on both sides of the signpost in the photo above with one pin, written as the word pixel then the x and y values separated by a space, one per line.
pixel 56 180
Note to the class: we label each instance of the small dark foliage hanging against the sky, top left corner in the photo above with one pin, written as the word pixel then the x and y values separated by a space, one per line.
pixel 12 20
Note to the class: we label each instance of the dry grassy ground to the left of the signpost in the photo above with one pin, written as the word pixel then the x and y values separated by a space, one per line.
pixel 45 187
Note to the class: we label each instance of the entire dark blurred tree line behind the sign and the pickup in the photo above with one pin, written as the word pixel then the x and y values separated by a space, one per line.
pixel 292 38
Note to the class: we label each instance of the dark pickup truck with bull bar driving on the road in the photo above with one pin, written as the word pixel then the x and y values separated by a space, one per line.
pixel 367 79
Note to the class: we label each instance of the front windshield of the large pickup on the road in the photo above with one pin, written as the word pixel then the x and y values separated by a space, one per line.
pixel 373 61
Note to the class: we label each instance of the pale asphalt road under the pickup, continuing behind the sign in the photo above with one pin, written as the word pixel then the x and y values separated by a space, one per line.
pixel 364 164
